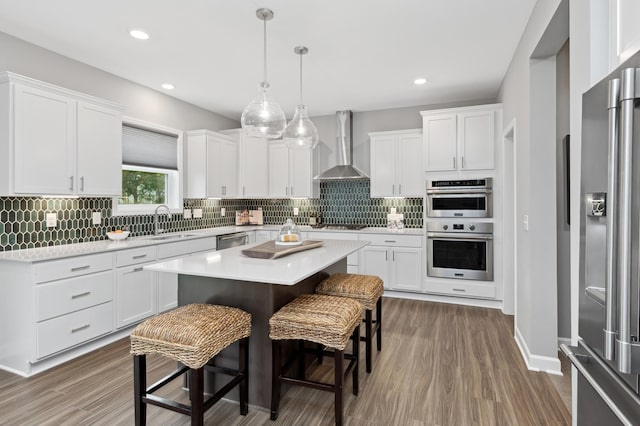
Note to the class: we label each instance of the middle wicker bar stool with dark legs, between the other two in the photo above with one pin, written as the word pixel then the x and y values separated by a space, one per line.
pixel 327 320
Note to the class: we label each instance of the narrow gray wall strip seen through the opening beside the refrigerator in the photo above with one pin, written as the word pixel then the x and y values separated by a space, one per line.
pixel 563 230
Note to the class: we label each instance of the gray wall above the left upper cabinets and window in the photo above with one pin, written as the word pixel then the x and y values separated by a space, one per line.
pixel 140 102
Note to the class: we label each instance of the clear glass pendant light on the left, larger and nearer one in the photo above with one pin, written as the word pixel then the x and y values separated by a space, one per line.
pixel 263 117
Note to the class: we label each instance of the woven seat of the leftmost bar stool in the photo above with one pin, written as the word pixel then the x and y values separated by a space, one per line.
pixel 191 334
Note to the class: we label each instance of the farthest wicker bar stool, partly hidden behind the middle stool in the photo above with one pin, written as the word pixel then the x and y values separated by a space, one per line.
pixel 366 289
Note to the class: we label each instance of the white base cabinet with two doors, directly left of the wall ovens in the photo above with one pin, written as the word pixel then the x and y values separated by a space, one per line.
pixel 396 259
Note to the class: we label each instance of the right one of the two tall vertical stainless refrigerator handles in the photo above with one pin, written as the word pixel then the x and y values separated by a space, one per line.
pixel 623 343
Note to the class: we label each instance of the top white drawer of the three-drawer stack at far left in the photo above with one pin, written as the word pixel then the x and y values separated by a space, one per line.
pixel 75 266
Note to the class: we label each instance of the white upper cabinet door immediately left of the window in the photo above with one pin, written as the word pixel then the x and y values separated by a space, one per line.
pixel 99 149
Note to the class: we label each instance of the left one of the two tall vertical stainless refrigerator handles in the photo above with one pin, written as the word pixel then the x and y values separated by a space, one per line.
pixel 611 240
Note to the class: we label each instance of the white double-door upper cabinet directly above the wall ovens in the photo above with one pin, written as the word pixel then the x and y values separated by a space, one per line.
pixel 460 138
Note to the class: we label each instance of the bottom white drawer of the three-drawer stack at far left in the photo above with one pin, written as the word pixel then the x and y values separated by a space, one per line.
pixel 72 329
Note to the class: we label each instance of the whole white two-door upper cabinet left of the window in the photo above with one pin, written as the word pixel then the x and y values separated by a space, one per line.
pixel 55 141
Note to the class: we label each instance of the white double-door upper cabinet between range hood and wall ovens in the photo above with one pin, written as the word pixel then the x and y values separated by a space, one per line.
pixel 396 163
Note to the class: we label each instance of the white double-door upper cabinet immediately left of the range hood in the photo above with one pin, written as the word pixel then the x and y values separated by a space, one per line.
pixel 290 172
